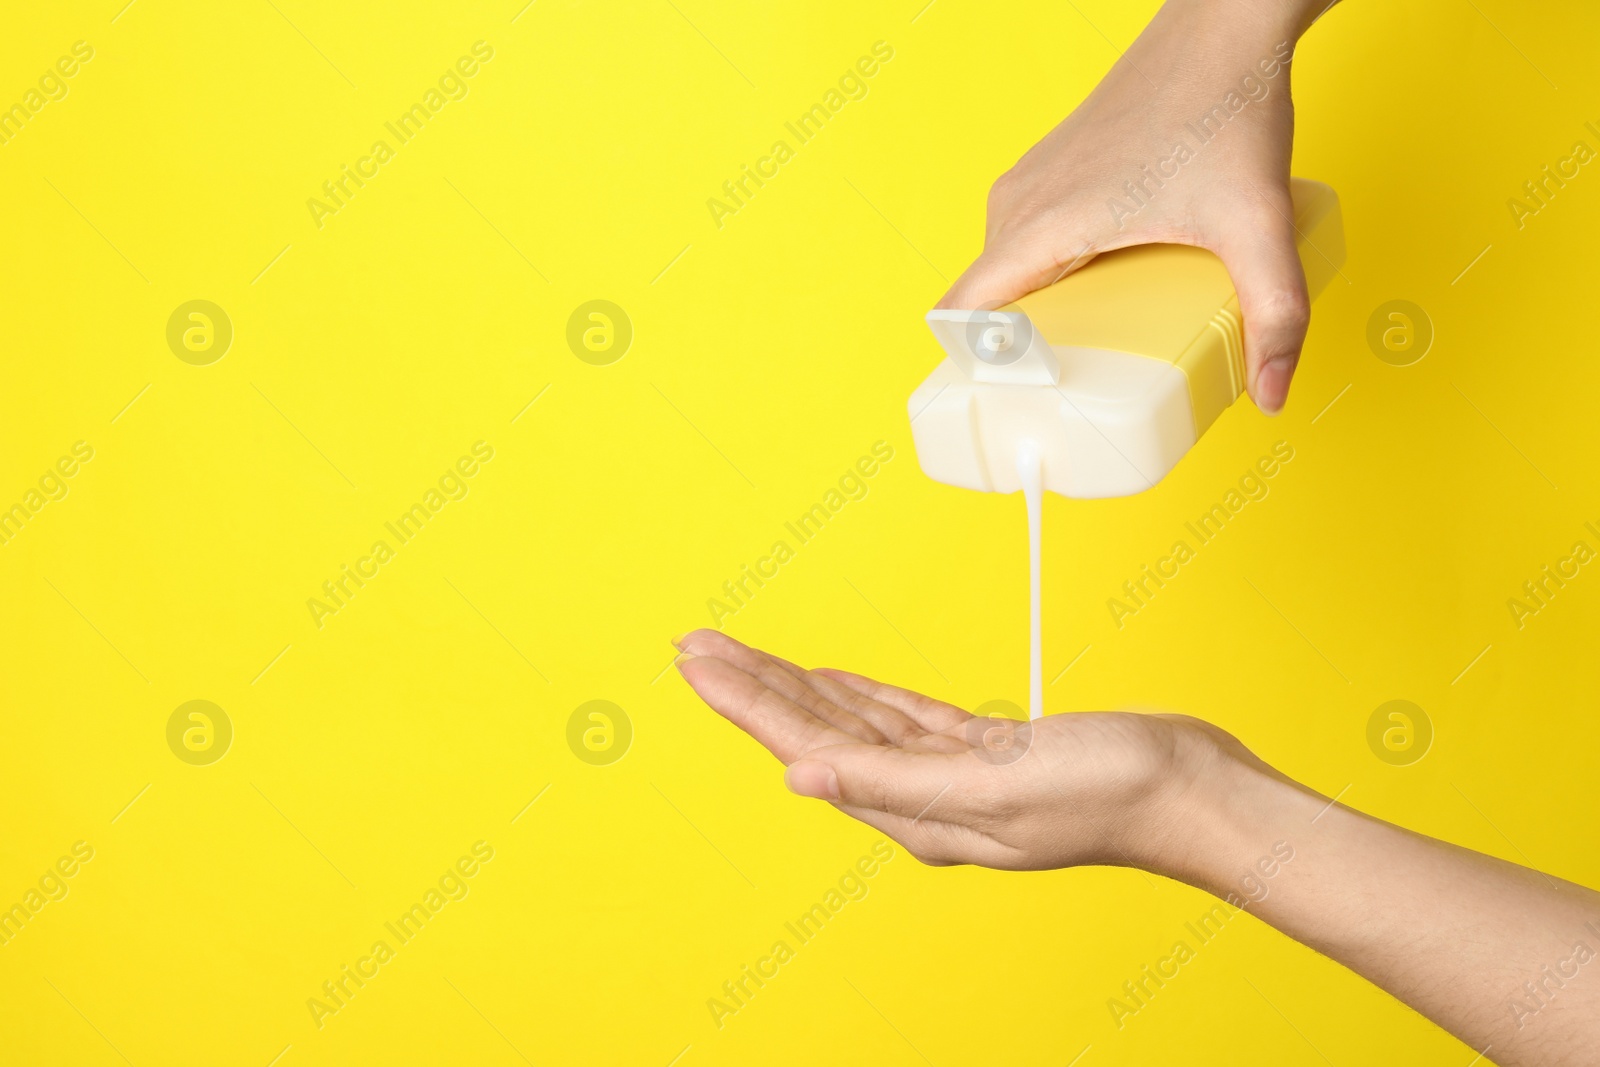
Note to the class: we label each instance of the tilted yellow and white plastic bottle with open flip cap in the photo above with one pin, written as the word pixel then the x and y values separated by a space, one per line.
pixel 1114 372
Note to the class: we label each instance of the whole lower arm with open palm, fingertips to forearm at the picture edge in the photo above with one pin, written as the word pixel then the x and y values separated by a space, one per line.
pixel 1500 956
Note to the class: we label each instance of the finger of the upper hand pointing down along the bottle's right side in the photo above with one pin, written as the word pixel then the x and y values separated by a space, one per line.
pixel 1258 250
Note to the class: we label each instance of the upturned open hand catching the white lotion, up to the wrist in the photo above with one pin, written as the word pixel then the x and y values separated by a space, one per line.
pixel 961 789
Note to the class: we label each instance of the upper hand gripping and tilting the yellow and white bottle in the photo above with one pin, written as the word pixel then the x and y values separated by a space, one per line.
pixel 1066 199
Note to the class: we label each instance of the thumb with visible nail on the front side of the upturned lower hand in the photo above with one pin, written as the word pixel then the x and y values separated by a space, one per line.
pixel 884 780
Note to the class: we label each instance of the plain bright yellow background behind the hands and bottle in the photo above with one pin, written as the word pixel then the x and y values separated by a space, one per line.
pixel 767 358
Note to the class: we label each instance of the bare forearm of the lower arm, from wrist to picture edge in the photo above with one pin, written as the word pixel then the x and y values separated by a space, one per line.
pixel 1500 956
